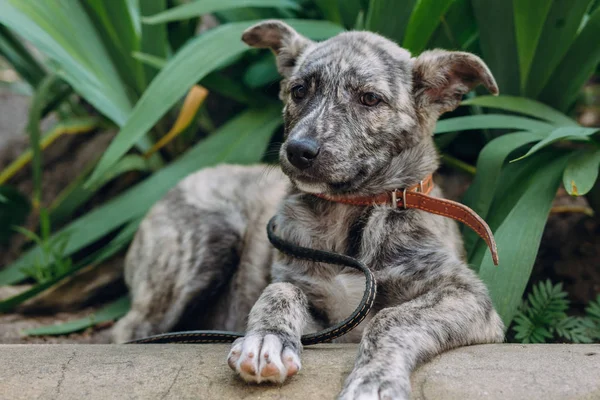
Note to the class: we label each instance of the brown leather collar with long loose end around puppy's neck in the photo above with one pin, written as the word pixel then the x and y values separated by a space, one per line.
pixel 417 196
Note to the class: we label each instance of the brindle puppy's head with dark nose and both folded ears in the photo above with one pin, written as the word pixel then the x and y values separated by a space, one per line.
pixel 359 111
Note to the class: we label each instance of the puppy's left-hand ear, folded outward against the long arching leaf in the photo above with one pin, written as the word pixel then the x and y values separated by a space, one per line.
pixel 286 43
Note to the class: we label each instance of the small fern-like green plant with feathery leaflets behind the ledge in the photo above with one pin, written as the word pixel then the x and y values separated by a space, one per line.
pixel 542 317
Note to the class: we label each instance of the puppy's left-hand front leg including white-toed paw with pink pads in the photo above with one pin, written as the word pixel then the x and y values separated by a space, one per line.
pixel 270 351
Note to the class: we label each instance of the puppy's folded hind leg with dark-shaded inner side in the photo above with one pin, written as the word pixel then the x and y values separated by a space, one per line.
pixel 174 270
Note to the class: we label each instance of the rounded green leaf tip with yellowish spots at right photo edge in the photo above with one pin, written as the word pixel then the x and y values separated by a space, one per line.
pixel 582 171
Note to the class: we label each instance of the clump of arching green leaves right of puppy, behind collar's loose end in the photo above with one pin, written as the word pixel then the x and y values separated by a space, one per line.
pixel 517 176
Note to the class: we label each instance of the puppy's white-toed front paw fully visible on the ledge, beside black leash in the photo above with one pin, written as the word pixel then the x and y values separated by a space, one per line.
pixel 264 358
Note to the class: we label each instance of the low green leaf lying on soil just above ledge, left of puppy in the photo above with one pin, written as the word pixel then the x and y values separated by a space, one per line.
pixel 111 312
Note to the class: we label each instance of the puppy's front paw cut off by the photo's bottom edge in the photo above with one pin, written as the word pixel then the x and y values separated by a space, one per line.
pixel 374 386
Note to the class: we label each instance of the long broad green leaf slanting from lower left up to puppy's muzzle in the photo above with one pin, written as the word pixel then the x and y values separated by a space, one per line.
pixel 243 140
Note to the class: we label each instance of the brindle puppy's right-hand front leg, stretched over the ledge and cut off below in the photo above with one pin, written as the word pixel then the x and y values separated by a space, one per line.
pixel 400 338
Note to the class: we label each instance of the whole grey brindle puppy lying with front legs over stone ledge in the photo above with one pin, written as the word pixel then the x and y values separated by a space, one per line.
pixel 359 115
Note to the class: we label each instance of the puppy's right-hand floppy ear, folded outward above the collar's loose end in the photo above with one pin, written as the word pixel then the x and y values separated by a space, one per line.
pixel 441 78
